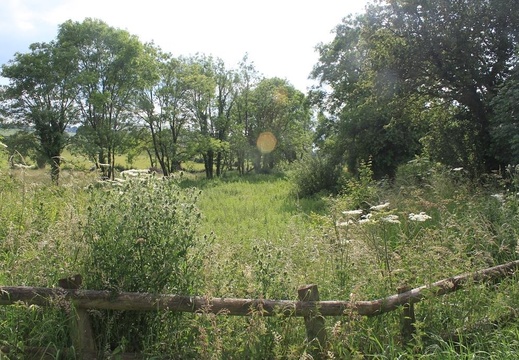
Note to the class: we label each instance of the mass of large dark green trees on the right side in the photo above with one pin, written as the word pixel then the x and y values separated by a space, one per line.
pixel 437 79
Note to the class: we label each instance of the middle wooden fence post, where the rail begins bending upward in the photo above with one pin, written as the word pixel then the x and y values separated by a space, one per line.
pixel 314 322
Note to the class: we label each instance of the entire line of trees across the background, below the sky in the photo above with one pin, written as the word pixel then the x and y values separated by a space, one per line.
pixel 405 78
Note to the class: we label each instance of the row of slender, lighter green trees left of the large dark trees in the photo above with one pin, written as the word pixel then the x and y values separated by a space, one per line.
pixel 127 97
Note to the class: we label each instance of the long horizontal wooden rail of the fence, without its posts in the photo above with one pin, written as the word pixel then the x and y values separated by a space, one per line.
pixel 94 299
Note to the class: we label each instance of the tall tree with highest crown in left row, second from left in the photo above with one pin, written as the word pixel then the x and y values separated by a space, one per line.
pixel 111 67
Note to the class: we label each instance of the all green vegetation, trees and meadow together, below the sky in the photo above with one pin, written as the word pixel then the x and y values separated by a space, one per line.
pixel 410 178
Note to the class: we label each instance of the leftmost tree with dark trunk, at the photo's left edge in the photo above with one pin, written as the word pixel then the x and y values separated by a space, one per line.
pixel 42 91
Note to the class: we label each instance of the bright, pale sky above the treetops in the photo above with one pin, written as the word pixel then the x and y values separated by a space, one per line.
pixel 279 36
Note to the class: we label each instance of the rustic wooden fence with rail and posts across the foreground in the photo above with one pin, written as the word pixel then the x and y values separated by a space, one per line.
pixel 308 306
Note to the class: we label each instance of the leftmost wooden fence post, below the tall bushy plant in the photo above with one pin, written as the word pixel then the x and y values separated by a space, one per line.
pixel 79 322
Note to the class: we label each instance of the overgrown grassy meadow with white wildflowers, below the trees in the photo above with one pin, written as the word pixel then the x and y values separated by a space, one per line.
pixel 252 237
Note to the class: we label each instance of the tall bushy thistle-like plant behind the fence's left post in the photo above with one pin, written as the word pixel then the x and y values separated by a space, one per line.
pixel 142 237
